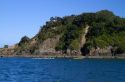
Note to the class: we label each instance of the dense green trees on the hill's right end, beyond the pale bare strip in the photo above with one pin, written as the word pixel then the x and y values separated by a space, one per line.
pixel 107 30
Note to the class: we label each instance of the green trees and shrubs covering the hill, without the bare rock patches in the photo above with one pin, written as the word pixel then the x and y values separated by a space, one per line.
pixel 105 30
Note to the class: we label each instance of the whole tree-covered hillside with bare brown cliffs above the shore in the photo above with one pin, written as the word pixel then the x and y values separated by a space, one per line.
pixel 100 33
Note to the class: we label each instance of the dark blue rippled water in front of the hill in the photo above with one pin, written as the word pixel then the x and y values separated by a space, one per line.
pixel 61 70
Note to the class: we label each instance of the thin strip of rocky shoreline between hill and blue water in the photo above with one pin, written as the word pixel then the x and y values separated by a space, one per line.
pixel 73 57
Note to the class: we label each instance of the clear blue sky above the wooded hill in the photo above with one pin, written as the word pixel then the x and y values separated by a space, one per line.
pixel 24 17
